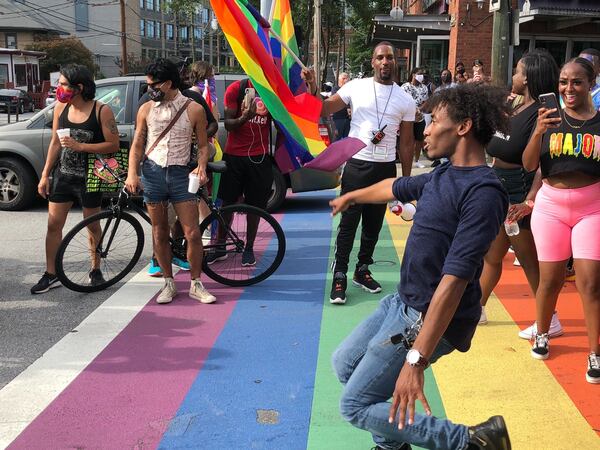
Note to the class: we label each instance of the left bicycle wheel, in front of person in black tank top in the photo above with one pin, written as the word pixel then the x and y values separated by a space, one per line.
pixel 118 246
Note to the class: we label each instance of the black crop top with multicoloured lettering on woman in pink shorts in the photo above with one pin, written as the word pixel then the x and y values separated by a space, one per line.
pixel 572 148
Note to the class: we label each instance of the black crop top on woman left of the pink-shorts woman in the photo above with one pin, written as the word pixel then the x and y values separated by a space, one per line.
pixel 510 148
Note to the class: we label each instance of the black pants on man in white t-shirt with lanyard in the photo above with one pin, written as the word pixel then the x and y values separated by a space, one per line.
pixel 357 175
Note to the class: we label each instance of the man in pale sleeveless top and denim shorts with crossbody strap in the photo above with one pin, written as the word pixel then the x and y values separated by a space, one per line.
pixel 163 140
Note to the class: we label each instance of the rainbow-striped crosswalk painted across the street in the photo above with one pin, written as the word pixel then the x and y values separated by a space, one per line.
pixel 254 372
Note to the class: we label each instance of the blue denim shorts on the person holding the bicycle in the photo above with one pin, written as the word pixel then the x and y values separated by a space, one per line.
pixel 162 184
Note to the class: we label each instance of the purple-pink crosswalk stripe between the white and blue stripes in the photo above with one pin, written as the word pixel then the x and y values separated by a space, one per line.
pixel 126 397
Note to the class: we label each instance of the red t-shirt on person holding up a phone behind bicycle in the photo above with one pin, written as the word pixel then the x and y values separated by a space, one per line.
pixel 252 138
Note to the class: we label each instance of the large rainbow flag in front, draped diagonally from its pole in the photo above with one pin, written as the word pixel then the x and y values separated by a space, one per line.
pixel 297 117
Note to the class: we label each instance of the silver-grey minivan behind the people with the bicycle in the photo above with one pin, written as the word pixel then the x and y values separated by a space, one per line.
pixel 24 146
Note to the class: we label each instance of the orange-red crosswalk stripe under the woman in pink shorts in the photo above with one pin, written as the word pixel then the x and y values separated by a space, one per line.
pixel 568 357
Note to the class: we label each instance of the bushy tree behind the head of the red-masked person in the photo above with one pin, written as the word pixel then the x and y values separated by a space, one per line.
pixel 60 52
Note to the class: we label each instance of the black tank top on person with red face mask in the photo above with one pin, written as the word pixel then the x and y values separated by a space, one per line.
pixel 74 163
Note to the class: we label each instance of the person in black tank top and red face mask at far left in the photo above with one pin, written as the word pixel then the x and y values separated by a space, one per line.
pixel 92 130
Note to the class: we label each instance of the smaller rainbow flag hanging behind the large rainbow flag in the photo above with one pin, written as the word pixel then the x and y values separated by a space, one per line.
pixel 283 25
